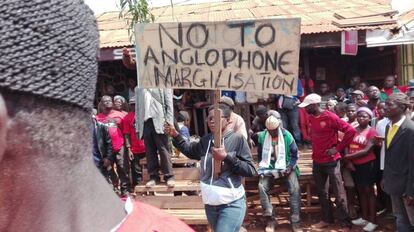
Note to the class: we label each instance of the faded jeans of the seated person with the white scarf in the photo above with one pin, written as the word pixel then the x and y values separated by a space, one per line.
pixel 265 184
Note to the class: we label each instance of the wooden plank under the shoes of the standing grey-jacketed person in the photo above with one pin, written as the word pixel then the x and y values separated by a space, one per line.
pixel 180 185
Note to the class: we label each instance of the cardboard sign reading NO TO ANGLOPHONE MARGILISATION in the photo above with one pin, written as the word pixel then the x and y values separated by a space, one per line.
pixel 259 55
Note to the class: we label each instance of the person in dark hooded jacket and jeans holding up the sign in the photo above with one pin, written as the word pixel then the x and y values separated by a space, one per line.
pixel 224 197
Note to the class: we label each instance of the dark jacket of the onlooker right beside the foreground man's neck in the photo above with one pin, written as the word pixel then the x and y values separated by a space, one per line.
pixel 102 144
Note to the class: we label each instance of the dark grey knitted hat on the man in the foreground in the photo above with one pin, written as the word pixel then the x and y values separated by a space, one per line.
pixel 49 48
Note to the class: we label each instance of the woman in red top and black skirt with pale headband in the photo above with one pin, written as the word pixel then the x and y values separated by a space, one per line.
pixel 360 152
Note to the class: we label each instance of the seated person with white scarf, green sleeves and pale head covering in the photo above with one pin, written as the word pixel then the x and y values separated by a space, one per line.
pixel 279 160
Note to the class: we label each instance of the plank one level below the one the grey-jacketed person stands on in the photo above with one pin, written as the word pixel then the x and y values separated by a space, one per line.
pixel 173 202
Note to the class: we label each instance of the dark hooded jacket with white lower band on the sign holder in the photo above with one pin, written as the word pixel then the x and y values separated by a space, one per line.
pixel 238 163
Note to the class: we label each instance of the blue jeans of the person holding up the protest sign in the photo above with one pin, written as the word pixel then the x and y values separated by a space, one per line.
pixel 226 217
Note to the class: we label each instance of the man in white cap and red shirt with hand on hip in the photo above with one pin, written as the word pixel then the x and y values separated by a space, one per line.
pixel 325 126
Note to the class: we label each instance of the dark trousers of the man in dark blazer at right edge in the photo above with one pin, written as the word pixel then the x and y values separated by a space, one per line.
pixel 404 214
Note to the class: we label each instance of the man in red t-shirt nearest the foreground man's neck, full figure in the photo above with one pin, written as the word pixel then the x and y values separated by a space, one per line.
pixel 113 119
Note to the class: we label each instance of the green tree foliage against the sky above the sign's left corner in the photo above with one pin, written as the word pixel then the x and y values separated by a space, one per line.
pixel 135 11
